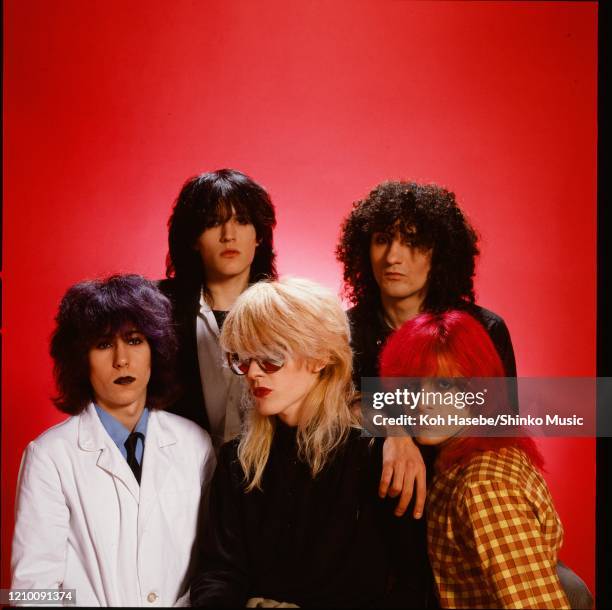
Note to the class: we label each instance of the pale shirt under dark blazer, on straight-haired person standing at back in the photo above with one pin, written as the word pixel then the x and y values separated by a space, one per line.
pixel 224 392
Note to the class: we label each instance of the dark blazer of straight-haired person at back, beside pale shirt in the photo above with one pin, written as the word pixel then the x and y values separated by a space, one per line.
pixel 185 306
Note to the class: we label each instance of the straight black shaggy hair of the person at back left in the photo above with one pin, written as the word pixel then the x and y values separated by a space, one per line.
pixel 207 200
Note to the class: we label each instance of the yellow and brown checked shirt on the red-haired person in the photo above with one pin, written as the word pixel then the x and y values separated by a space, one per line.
pixel 493 534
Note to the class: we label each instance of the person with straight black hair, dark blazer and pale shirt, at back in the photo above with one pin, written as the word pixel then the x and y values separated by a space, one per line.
pixel 220 241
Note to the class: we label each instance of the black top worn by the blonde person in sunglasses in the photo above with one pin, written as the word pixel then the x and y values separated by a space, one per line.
pixel 323 542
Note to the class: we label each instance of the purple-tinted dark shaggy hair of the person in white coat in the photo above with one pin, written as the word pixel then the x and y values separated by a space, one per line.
pixel 95 309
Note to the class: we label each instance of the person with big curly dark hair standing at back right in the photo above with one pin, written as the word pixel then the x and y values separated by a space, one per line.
pixel 407 248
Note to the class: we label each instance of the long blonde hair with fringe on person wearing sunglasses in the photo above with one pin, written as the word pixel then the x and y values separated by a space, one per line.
pixel 294 318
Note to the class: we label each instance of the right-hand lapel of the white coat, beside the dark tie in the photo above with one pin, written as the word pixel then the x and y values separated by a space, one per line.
pixel 156 464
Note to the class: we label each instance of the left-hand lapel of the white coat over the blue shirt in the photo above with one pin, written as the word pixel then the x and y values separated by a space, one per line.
pixel 93 437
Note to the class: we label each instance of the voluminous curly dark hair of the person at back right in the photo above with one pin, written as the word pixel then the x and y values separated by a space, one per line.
pixel 428 217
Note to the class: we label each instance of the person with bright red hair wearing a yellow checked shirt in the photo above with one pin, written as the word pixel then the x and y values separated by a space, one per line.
pixel 492 529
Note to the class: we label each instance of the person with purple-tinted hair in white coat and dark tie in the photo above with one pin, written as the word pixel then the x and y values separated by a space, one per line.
pixel 108 500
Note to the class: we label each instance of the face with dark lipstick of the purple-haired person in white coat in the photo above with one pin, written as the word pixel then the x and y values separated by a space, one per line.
pixel 119 370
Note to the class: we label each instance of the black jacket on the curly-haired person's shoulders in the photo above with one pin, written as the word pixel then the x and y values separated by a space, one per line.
pixel 369 333
